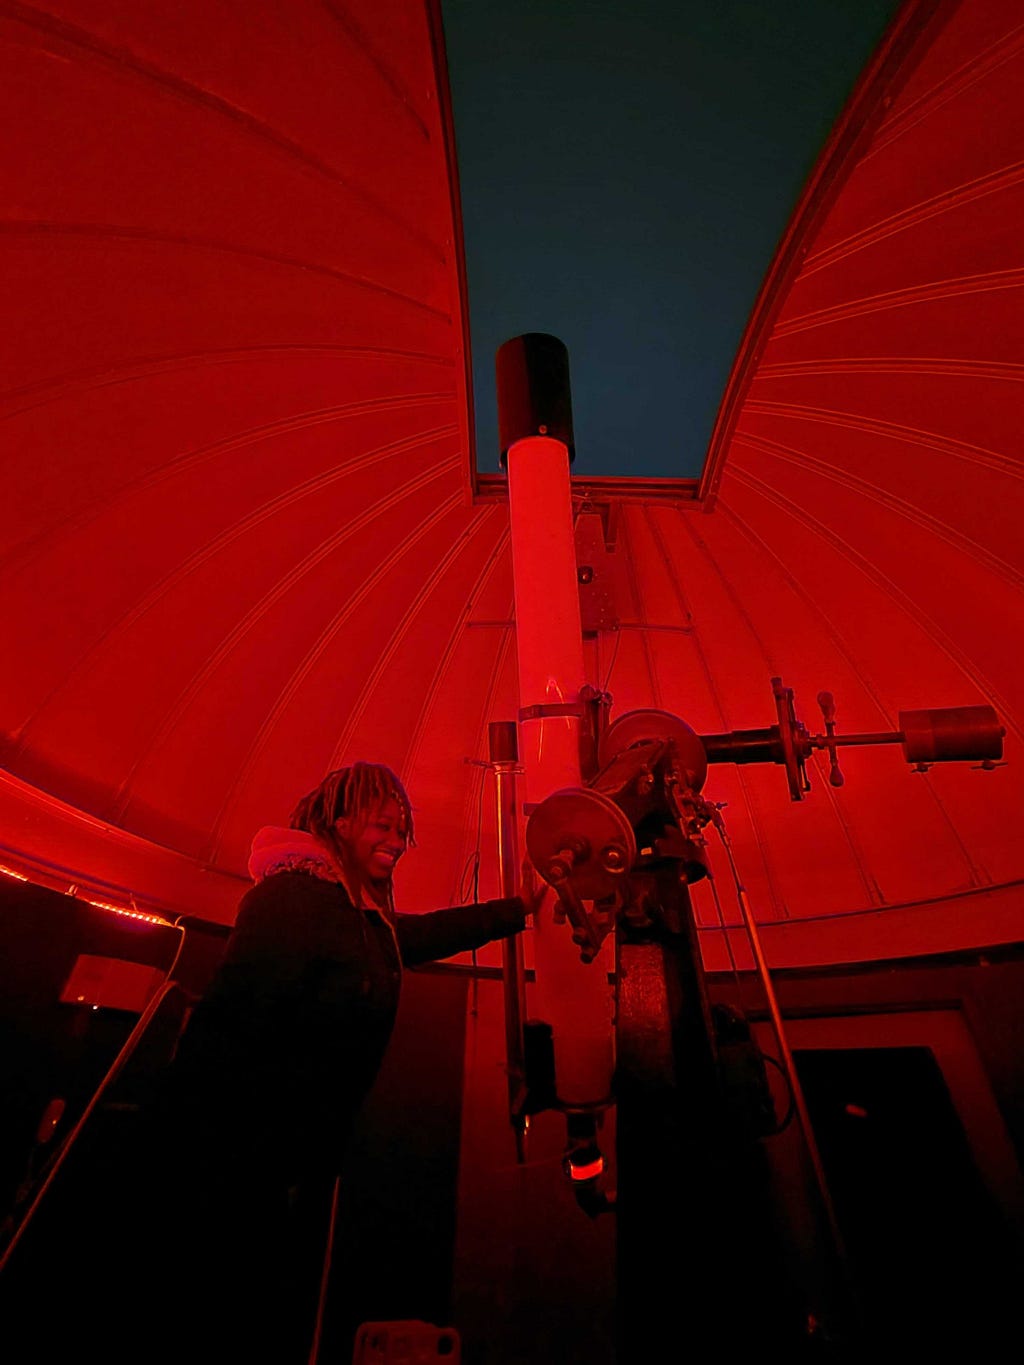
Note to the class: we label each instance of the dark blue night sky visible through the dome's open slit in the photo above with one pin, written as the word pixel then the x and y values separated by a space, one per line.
pixel 627 171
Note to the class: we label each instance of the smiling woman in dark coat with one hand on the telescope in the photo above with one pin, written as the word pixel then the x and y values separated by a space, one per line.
pixel 251 1124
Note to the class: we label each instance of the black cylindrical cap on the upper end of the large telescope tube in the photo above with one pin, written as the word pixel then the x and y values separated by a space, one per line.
pixel 533 387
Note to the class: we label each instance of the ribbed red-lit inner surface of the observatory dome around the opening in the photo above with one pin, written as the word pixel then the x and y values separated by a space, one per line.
pixel 245 541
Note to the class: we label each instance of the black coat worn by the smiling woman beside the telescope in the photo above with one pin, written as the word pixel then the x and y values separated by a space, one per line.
pixel 285 1046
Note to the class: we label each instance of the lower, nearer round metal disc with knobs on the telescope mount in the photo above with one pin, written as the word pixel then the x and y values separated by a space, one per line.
pixel 582 844
